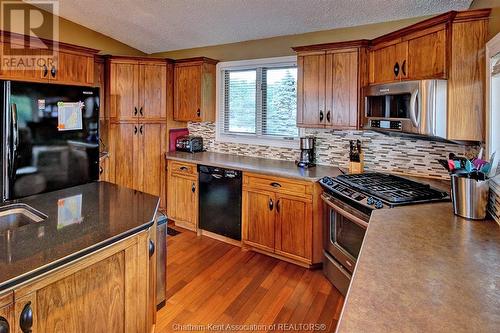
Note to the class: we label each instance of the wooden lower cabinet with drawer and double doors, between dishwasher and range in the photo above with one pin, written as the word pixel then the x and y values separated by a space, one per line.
pixel 279 220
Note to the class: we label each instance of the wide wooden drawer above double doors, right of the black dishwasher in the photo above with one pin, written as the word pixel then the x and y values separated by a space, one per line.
pixel 277 184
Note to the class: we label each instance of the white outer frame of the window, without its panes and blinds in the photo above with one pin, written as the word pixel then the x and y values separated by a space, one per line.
pixel 220 136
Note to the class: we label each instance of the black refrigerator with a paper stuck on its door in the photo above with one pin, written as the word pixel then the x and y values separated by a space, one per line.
pixel 50 137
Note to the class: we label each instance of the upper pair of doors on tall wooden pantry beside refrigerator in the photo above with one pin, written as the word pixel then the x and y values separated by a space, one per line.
pixel 137 89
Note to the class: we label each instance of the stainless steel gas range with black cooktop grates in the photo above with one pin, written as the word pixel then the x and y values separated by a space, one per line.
pixel 349 201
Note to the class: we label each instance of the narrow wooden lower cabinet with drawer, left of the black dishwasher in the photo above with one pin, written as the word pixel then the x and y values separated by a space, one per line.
pixel 182 194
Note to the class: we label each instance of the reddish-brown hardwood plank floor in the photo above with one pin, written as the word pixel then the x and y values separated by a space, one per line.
pixel 211 282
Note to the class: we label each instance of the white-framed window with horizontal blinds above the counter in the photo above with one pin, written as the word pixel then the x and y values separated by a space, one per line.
pixel 257 102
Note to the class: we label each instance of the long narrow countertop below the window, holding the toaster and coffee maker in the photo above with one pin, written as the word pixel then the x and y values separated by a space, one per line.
pixel 266 166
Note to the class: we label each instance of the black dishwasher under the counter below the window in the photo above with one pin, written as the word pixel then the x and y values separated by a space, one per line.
pixel 220 201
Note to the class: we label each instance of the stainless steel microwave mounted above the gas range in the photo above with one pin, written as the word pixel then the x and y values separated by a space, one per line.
pixel 414 107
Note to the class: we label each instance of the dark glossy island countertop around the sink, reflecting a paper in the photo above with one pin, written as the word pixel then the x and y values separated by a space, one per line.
pixel 80 220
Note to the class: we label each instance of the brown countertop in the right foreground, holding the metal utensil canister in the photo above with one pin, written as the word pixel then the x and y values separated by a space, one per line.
pixel 423 269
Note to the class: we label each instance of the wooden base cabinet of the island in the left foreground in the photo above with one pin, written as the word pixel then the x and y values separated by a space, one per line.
pixel 112 290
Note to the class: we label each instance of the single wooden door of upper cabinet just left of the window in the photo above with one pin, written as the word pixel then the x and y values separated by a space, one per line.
pixel 187 90
